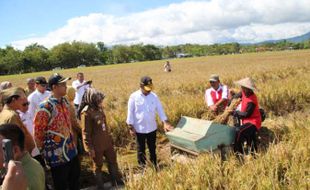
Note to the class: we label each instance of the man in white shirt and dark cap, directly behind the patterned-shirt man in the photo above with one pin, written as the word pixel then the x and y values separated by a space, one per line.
pixel 37 96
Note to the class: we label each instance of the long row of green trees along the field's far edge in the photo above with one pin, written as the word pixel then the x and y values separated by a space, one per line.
pixel 36 57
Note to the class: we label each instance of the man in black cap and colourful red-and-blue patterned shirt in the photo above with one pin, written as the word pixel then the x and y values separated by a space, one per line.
pixel 54 137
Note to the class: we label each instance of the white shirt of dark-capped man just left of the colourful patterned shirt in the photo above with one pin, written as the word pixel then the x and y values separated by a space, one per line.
pixel 34 100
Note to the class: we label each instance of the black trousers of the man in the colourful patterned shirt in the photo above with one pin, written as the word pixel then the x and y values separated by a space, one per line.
pixel 67 176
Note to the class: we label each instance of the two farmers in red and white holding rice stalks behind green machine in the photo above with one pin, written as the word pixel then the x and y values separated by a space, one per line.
pixel 247 114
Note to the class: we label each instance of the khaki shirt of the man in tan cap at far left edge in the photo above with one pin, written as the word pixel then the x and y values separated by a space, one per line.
pixel 9 116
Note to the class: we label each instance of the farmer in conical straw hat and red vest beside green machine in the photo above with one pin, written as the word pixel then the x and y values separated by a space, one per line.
pixel 249 115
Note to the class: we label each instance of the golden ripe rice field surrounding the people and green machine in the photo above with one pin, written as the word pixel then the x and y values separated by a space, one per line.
pixel 284 92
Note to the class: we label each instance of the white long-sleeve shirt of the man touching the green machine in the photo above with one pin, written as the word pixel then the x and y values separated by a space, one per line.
pixel 142 111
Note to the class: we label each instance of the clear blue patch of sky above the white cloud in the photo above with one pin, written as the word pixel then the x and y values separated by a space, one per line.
pixel 21 19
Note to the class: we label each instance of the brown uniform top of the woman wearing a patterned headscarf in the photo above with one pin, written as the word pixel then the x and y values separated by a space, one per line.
pixel 96 135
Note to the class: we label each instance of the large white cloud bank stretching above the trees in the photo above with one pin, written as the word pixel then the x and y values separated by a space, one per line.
pixel 203 22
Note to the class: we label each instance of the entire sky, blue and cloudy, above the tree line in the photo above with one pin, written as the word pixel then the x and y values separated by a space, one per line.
pixel 159 22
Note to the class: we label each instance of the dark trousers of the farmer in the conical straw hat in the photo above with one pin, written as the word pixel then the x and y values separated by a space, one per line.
pixel 245 133
